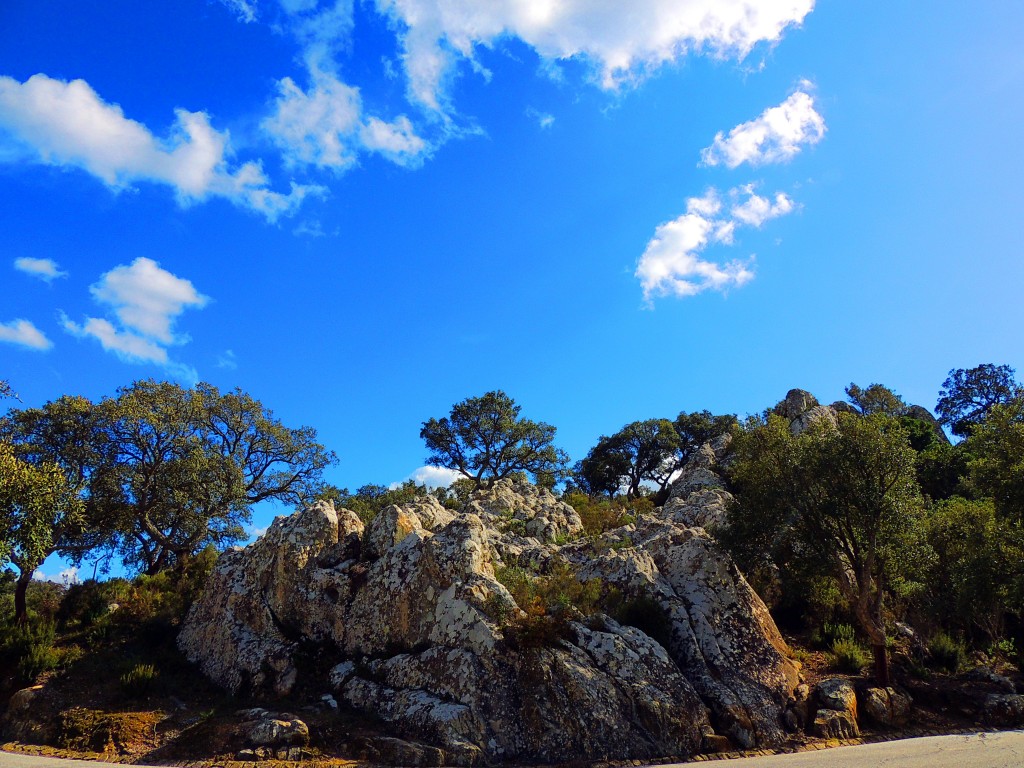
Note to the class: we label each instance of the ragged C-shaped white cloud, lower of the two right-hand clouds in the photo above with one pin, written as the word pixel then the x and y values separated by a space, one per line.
pixel 672 264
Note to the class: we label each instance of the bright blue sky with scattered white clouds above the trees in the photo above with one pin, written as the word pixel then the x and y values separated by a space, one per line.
pixel 364 214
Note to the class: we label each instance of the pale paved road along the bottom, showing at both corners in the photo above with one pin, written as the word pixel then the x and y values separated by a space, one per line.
pixel 1004 750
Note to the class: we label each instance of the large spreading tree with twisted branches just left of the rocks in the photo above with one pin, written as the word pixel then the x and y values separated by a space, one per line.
pixel 190 464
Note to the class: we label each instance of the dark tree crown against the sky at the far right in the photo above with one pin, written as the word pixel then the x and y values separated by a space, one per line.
pixel 969 395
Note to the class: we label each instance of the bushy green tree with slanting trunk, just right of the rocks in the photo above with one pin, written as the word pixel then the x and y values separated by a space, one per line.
pixel 843 500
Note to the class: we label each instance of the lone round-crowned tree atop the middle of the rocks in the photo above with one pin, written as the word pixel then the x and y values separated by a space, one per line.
pixel 485 440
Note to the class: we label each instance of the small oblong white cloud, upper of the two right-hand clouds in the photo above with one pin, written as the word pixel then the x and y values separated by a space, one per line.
pixel 777 136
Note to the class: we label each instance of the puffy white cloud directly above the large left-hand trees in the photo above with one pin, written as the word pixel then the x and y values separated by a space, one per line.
pixel 147 302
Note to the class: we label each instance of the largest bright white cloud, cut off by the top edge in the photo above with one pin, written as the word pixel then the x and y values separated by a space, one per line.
pixel 623 40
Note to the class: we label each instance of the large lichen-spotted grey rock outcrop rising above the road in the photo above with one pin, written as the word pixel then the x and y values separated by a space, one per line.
pixel 429 639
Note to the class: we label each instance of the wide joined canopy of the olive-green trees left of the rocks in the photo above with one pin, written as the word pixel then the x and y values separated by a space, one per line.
pixel 164 472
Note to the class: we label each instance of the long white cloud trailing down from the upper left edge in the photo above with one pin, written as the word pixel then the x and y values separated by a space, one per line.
pixel 69 125
